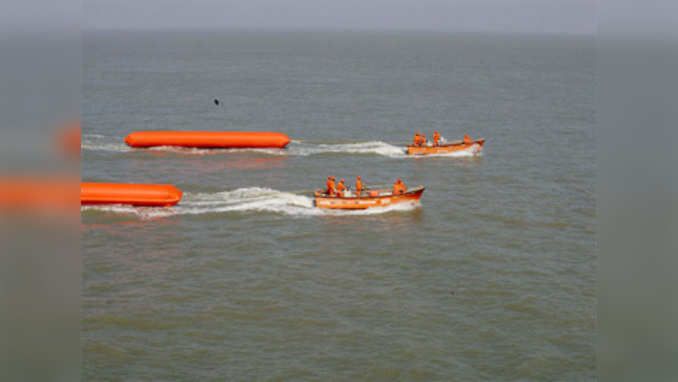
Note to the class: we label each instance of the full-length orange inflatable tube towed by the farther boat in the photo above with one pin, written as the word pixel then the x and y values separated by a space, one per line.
pixel 208 139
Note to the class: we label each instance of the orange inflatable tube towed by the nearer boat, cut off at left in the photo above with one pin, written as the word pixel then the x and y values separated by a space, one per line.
pixel 164 195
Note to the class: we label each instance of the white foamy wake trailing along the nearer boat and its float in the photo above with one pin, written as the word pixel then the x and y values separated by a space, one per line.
pixel 243 200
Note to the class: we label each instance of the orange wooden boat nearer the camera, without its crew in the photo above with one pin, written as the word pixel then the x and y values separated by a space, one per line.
pixel 368 199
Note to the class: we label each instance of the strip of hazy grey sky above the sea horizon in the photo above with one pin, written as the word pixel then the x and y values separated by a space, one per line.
pixel 516 16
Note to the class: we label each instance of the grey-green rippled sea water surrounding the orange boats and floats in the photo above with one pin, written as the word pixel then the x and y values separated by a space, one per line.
pixel 491 278
